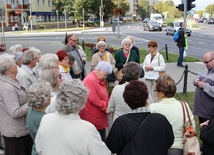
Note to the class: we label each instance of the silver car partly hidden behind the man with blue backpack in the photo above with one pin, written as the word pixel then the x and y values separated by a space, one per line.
pixel 172 27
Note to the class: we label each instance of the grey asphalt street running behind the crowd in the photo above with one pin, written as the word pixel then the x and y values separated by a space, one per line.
pixel 200 41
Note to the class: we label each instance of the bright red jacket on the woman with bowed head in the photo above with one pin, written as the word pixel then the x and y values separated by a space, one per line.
pixel 97 102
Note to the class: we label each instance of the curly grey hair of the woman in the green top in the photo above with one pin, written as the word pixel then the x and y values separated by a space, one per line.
pixel 38 94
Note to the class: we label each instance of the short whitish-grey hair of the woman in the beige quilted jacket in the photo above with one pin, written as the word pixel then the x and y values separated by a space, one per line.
pixel 6 60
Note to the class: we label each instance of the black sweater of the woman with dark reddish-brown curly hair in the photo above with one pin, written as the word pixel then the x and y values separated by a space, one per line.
pixel 154 137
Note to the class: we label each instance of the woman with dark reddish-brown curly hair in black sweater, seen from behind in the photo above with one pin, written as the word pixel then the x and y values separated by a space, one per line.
pixel 139 131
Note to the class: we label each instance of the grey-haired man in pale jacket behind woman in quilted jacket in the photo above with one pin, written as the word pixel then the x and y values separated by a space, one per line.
pixel 25 75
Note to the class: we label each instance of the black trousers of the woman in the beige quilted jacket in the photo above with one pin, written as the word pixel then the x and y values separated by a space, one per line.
pixel 18 146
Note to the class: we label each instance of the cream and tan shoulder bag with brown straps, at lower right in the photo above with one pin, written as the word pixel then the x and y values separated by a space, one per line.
pixel 190 139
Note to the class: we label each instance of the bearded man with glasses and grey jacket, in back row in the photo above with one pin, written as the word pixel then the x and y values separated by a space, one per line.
pixel 73 48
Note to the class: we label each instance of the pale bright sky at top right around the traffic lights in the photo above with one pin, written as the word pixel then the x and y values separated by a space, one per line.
pixel 200 4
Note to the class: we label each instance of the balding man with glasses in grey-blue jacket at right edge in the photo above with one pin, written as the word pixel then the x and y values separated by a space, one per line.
pixel 204 92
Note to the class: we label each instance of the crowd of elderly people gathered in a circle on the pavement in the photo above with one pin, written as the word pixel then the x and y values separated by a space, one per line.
pixel 50 104
